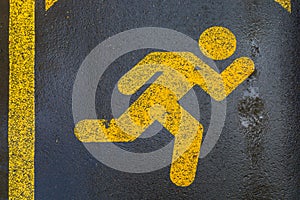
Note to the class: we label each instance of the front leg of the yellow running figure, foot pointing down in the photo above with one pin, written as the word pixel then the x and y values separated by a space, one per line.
pixel 188 137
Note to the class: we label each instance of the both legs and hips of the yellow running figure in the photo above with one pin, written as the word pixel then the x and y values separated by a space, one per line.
pixel 156 103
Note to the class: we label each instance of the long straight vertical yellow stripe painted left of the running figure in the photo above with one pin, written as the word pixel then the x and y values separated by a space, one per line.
pixel 21 123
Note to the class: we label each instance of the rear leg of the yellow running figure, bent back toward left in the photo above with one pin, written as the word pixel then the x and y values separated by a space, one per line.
pixel 133 122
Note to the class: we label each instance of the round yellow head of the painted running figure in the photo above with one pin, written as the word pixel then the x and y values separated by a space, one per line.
pixel 217 43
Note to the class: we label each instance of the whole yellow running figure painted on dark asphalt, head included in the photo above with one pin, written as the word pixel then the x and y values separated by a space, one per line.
pixel 180 72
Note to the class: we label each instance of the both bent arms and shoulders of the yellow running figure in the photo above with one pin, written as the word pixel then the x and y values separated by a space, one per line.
pixel 196 72
